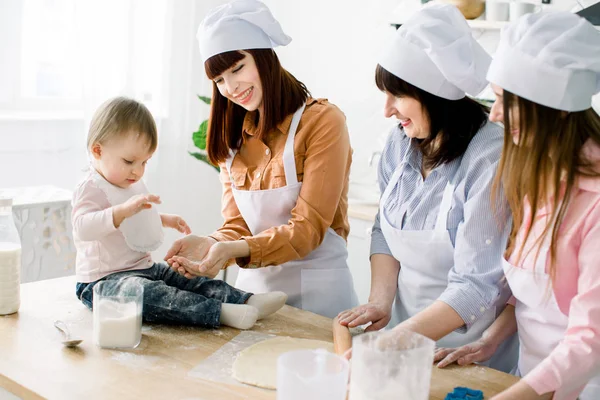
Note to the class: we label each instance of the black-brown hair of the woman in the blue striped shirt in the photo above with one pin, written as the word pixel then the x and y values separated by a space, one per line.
pixel 453 123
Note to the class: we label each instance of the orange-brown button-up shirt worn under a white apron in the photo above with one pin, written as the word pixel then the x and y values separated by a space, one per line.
pixel 323 156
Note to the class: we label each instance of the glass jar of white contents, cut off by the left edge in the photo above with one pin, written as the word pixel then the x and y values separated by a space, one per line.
pixel 10 260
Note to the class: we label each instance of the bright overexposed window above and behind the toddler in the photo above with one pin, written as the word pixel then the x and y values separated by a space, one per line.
pixel 63 54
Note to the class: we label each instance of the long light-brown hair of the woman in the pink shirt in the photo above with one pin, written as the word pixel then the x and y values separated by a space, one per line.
pixel 544 164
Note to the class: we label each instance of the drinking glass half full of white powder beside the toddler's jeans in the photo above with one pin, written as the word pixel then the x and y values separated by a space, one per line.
pixel 117 313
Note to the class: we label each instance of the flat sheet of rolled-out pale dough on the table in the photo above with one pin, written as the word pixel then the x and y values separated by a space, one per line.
pixel 257 365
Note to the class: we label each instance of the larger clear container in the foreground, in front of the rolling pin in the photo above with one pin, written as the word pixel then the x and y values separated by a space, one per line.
pixel 391 365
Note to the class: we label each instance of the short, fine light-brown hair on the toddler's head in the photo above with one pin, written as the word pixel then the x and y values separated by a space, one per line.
pixel 120 116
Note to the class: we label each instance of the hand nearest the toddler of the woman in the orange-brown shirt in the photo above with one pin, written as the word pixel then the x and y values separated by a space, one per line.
pixel 189 250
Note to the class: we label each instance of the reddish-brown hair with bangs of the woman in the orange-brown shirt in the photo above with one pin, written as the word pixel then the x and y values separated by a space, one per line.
pixel 283 94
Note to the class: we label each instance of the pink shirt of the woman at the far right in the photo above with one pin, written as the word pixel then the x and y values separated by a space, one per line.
pixel 577 286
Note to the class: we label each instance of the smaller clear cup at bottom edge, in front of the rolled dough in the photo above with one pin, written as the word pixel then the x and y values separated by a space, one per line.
pixel 312 374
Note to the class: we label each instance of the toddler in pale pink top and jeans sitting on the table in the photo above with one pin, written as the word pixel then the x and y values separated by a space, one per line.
pixel 115 226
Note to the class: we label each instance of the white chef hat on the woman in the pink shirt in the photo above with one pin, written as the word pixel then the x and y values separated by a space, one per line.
pixel 551 58
